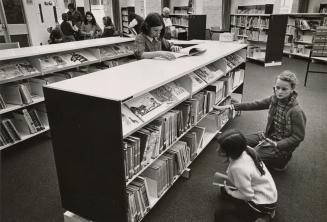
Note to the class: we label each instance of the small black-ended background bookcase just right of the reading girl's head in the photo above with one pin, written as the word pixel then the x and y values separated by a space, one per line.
pixel 187 26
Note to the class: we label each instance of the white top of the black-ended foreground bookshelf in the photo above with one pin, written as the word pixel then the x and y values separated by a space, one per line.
pixel 133 79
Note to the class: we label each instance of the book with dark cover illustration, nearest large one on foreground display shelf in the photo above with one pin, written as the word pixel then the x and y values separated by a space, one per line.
pixel 145 106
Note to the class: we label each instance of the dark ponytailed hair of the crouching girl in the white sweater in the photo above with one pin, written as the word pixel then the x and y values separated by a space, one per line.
pixel 233 143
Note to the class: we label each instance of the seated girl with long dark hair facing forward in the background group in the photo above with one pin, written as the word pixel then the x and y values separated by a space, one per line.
pixel 90 28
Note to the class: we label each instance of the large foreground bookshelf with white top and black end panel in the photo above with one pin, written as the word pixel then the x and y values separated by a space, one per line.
pixel 123 136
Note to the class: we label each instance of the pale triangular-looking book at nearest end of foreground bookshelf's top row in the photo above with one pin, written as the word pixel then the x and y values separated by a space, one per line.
pixel 129 120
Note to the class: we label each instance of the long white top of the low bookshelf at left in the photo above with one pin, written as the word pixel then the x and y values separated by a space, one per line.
pixel 61 47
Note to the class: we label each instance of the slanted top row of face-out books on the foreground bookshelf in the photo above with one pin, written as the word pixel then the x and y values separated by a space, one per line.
pixel 145 107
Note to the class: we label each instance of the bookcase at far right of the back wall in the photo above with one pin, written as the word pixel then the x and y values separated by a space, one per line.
pixel 300 32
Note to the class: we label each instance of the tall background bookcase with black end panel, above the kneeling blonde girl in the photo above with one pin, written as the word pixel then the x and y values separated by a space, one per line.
pixel 264 34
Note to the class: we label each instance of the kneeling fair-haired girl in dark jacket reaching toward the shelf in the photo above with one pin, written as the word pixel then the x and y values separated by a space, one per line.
pixel 286 122
